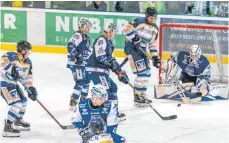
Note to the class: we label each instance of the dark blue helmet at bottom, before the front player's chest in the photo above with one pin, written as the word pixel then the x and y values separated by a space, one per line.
pixel 97 125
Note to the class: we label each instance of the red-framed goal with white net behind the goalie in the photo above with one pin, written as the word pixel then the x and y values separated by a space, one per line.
pixel 213 40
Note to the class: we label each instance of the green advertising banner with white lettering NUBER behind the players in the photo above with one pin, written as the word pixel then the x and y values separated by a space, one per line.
pixel 60 26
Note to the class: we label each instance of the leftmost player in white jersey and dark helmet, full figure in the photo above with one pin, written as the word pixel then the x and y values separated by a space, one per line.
pixel 16 67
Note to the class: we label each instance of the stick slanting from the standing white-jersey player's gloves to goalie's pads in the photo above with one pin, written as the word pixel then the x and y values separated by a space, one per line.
pixel 178 85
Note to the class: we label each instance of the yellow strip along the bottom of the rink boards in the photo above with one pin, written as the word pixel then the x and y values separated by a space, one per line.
pixel 117 53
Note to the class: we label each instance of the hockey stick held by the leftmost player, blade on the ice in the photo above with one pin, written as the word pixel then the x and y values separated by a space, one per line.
pixel 62 127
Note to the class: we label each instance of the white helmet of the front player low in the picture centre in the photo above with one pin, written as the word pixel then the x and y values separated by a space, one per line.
pixel 99 91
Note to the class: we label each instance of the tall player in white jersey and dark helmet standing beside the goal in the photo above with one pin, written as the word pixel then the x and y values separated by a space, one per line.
pixel 140 34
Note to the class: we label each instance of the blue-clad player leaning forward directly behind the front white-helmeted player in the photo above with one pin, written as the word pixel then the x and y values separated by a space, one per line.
pixel 101 62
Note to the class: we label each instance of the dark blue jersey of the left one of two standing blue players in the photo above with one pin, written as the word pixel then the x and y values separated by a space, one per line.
pixel 78 45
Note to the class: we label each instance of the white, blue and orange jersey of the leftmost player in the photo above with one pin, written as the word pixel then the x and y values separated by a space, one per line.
pixel 24 67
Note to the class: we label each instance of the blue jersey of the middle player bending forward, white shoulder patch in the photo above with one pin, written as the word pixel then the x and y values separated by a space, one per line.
pixel 103 49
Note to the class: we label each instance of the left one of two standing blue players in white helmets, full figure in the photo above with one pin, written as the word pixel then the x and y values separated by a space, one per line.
pixel 78 51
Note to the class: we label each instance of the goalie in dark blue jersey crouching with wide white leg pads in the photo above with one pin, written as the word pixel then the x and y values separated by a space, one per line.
pixel 193 71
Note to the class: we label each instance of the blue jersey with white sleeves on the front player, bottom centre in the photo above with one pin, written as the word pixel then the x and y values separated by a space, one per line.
pixel 108 112
